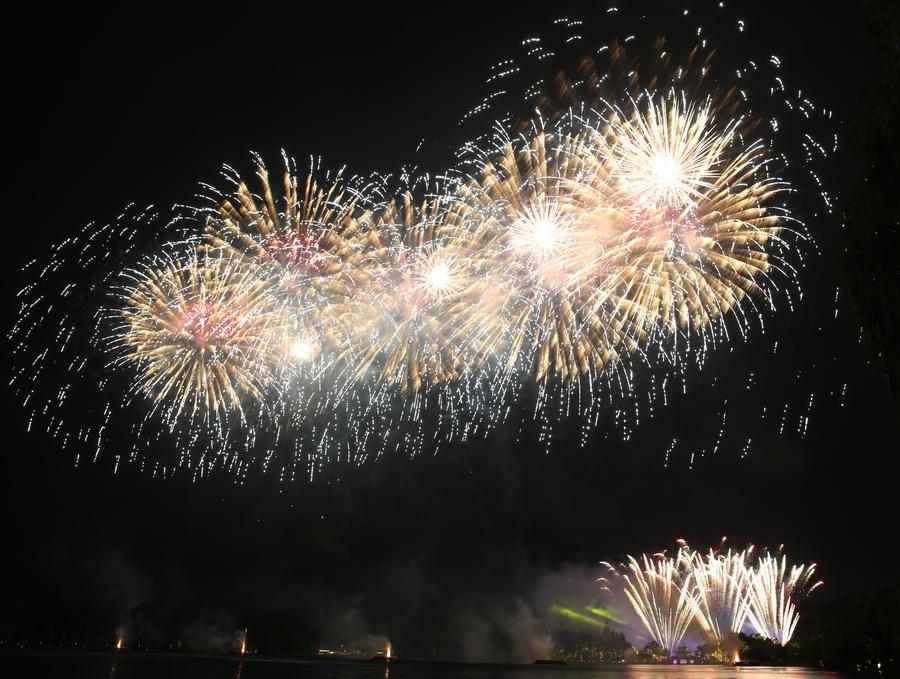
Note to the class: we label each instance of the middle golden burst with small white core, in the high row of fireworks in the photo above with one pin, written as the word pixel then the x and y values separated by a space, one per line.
pixel 429 297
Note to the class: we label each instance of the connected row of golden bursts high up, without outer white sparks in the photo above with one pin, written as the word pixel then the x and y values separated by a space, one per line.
pixel 569 251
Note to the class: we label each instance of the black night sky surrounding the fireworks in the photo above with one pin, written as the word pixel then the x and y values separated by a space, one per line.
pixel 139 106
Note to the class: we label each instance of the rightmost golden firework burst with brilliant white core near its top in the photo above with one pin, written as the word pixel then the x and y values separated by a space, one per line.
pixel 700 211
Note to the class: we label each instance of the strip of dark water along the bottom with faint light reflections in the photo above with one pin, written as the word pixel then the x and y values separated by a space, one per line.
pixel 153 666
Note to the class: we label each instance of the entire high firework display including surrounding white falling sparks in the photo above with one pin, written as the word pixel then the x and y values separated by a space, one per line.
pixel 645 227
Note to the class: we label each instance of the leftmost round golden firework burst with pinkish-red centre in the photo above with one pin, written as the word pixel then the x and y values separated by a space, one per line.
pixel 198 334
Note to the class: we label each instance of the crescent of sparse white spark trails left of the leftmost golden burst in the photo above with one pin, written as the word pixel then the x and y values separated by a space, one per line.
pixel 63 384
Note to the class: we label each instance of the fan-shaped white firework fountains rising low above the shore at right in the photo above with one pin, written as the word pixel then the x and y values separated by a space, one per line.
pixel 723 591
